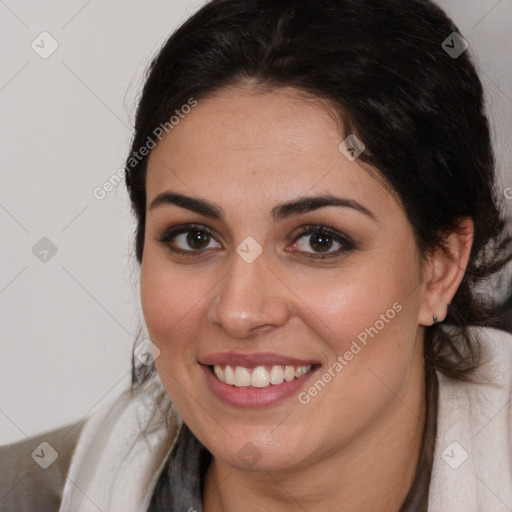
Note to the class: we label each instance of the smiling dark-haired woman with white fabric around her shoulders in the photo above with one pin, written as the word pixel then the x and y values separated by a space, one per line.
pixel 313 184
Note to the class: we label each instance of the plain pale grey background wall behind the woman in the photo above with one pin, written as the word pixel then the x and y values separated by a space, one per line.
pixel 67 325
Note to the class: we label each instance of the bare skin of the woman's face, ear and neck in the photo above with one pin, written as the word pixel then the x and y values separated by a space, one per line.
pixel 356 442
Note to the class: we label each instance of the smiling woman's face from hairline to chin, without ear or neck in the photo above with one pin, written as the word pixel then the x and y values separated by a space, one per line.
pixel 257 276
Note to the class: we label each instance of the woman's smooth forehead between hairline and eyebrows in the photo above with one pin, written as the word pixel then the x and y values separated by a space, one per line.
pixel 244 144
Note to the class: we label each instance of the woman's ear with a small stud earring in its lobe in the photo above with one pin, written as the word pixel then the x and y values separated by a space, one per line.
pixel 443 272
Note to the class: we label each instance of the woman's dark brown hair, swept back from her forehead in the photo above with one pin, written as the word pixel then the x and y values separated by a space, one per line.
pixel 382 67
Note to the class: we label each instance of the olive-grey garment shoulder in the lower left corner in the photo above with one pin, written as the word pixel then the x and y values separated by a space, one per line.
pixel 33 471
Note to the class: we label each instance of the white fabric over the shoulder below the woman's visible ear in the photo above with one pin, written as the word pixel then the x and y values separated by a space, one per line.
pixel 473 453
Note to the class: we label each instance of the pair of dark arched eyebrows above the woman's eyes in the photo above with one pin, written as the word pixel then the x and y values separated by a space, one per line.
pixel 281 211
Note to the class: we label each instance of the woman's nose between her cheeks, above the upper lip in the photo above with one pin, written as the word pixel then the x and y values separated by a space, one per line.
pixel 250 299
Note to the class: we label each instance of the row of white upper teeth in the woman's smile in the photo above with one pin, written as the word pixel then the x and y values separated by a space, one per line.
pixel 259 377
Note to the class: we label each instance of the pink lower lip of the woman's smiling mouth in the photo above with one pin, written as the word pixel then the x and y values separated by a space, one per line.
pixel 251 396
